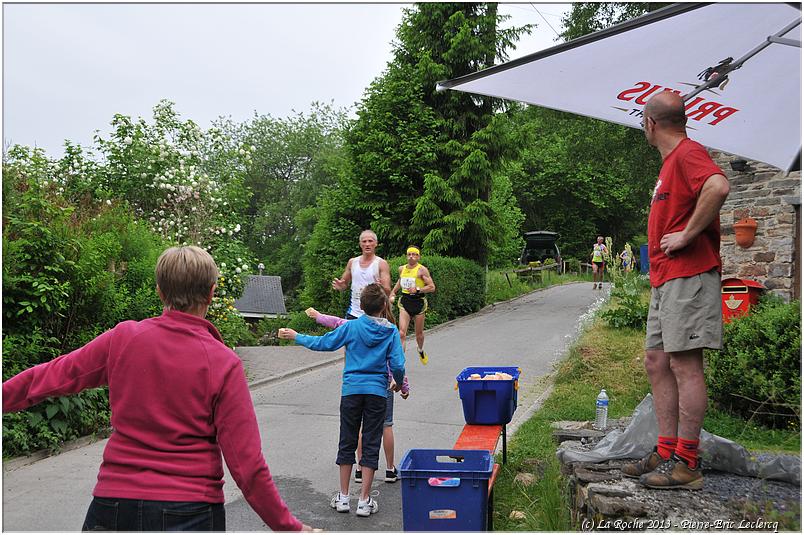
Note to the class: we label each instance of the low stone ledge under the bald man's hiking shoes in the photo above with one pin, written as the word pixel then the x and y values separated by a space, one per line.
pixel 601 499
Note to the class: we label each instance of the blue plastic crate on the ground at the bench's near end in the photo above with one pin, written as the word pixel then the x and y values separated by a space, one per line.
pixel 458 501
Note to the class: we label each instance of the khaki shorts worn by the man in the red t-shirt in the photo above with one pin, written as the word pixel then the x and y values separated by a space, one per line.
pixel 685 314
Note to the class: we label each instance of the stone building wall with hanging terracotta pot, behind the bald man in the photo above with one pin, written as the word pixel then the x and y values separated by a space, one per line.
pixel 771 197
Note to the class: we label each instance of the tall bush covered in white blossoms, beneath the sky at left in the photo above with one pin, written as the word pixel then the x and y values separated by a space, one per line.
pixel 185 183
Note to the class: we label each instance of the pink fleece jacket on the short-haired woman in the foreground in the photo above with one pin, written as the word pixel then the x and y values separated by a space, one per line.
pixel 179 400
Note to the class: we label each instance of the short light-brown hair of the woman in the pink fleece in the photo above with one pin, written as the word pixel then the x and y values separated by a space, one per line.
pixel 185 276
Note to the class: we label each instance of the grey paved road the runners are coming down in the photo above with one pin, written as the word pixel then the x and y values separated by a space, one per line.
pixel 298 416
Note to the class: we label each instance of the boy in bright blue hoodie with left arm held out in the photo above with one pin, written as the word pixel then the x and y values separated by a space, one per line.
pixel 372 347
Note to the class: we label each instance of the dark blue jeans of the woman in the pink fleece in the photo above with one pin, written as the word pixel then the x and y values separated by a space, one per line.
pixel 116 514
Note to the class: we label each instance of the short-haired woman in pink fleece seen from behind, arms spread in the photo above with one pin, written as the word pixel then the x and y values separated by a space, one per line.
pixel 179 400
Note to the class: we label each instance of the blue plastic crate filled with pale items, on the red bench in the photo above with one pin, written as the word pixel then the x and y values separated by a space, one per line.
pixel 488 402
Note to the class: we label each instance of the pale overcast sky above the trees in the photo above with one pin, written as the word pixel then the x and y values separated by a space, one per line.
pixel 68 68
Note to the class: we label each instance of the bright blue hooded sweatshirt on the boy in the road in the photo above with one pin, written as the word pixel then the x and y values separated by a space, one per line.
pixel 372 347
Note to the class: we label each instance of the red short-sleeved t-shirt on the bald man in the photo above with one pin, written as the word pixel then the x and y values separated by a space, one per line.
pixel 683 174
